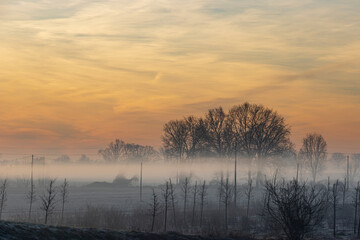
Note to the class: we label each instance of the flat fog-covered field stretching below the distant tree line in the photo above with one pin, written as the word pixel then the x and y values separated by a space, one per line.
pixel 109 196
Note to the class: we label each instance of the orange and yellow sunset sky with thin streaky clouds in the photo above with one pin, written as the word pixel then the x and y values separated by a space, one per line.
pixel 76 74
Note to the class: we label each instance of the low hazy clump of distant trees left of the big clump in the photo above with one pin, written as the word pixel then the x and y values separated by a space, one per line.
pixel 121 151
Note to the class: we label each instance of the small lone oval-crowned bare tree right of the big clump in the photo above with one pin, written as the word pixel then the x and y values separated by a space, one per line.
pixel 314 150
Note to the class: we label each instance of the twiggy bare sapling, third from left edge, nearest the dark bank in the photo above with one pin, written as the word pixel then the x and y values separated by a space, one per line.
pixel 48 200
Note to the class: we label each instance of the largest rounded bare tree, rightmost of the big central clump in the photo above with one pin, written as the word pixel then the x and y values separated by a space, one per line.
pixel 260 133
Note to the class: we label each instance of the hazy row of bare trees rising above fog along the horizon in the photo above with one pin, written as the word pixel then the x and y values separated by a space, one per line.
pixel 250 131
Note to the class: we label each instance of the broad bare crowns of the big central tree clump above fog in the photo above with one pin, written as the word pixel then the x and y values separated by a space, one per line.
pixel 254 129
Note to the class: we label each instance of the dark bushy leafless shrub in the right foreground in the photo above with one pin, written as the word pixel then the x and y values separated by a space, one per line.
pixel 296 207
